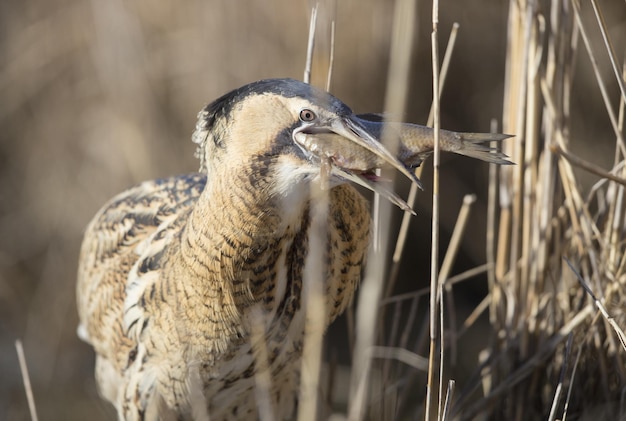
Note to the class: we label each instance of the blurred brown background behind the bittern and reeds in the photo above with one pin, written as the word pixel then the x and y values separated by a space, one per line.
pixel 98 95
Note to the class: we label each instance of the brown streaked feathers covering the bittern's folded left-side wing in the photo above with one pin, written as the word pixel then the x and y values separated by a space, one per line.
pixel 117 236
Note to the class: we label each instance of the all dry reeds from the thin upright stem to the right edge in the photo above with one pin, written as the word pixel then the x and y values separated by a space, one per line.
pixel 545 218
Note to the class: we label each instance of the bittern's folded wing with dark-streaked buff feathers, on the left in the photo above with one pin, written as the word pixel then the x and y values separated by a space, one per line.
pixel 127 233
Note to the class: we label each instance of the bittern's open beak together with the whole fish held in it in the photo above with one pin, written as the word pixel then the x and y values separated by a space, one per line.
pixel 352 145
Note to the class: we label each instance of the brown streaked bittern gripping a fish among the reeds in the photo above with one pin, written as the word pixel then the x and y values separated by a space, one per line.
pixel 171 270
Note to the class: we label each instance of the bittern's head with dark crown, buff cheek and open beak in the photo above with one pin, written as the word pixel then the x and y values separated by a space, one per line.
pixel 280 133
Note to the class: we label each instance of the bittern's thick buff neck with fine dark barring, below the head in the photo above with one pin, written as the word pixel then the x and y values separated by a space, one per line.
pixel 234 249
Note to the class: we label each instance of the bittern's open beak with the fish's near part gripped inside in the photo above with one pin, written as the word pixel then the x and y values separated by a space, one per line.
pixel 354 154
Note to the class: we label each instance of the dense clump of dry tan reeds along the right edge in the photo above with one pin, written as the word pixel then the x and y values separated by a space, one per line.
pixel 536 301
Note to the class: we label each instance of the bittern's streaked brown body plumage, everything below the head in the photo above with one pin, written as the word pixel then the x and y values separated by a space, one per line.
pixel 154 316
